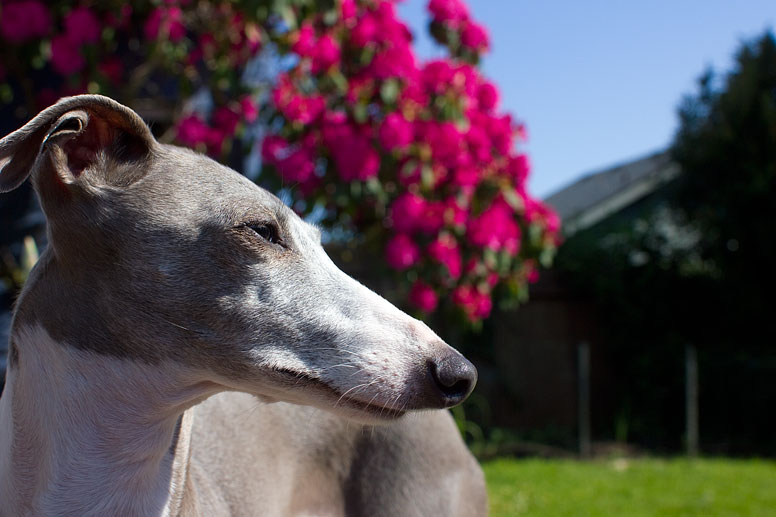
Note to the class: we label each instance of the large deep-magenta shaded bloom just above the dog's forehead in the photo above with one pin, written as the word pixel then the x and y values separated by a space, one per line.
pixel 351 149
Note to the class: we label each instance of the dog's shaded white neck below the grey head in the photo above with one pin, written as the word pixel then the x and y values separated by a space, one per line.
pixel 92 433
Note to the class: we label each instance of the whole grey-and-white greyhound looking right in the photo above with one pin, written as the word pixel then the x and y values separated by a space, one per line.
pixel 184 346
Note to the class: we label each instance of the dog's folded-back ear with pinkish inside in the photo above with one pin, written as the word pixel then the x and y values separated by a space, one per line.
pixel 67 139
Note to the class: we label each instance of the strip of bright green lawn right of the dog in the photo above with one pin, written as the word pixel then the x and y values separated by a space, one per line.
pixel 632 487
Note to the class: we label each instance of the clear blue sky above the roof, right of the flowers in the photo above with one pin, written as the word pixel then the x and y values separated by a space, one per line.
pixel 598 82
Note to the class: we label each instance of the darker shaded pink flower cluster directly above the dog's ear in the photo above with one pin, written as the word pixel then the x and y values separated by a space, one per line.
pixel 133 50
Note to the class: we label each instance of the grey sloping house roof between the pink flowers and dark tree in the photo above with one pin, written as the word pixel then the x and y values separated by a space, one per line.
pixel 597 195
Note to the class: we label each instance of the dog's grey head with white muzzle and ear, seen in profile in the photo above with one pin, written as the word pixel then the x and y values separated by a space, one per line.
pixel 172 256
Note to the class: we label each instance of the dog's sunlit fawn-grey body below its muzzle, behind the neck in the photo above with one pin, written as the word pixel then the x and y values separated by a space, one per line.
pixel 306 458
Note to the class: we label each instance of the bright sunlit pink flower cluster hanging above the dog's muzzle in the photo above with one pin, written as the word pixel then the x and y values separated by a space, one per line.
pixel 436 157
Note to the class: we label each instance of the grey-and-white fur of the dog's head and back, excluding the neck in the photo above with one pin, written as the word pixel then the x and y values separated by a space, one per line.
pixel 154 258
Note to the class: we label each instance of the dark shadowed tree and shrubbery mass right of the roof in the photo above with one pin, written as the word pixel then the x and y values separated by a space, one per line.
pixel 693 263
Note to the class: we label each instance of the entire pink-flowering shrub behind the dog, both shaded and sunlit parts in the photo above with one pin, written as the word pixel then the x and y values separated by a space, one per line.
pixel 415 157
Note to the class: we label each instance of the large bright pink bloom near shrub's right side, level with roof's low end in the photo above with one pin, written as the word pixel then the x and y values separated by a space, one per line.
pixel 495 228
